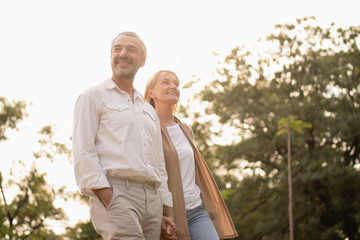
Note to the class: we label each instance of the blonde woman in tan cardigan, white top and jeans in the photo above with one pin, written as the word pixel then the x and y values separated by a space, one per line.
pixel 199 209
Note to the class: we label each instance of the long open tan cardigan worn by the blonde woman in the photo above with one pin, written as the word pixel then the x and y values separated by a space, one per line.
pixel 210 194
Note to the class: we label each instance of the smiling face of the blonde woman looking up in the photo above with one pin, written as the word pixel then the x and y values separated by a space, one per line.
pixel 166 89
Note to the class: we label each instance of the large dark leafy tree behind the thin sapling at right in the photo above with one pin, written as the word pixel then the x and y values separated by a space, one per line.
pixel 311 73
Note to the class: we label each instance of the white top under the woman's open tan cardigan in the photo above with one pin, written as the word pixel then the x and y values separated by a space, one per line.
pixel 187 166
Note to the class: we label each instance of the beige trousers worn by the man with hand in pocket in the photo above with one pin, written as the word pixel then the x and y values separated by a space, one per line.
pixel 134 212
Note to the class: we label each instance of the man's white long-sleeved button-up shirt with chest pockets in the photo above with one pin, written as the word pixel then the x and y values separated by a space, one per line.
pixel 115 137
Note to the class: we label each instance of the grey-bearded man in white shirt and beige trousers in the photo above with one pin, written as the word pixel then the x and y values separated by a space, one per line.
pixel 117 150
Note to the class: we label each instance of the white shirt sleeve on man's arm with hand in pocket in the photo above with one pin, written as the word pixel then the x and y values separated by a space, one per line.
pixel 87 169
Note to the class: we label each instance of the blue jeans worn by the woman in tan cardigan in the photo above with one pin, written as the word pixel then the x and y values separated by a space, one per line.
pixel 200 224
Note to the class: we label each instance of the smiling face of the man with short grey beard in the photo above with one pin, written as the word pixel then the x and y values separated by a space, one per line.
pixel 126 57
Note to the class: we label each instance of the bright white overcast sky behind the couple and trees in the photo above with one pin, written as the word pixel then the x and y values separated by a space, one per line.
pixel 50 51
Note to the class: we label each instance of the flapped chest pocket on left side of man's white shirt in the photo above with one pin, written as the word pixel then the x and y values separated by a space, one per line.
pixel 117 116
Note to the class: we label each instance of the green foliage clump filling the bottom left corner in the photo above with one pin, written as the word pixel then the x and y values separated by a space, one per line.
pixel 25 216
